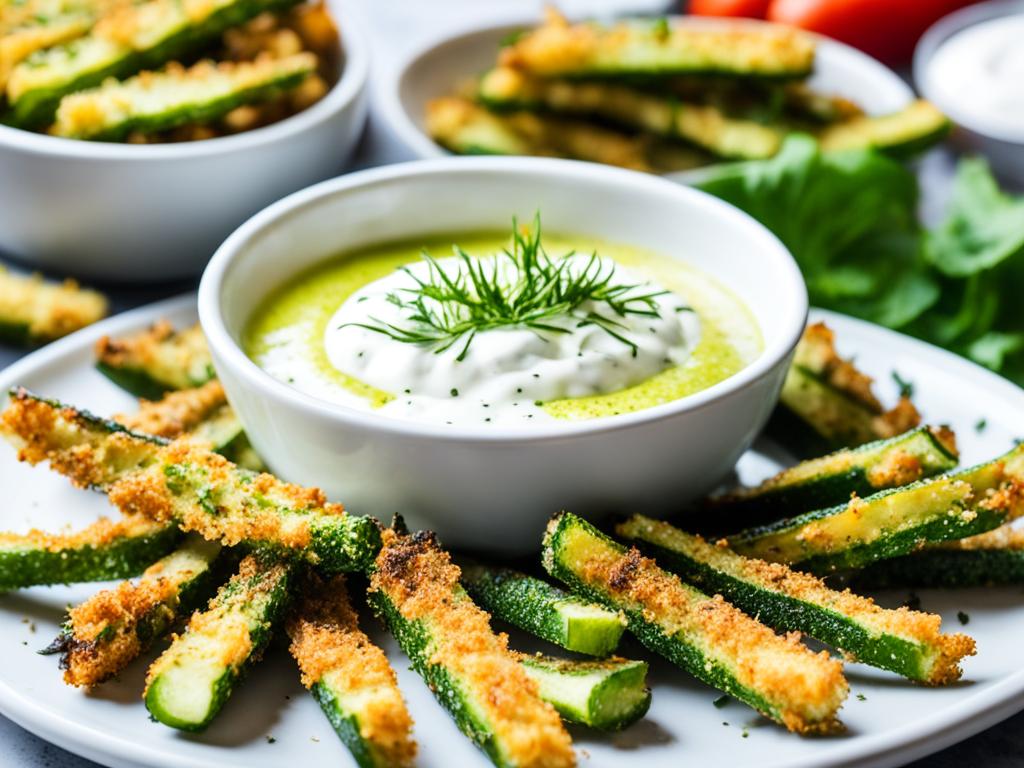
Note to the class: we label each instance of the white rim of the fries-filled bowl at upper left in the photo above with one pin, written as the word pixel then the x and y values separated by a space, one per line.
pixel 344 94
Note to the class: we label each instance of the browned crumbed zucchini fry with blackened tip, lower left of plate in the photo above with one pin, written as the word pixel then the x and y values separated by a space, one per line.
pixel 115 627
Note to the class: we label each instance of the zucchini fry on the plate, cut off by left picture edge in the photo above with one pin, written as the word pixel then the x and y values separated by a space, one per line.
pixel 105 550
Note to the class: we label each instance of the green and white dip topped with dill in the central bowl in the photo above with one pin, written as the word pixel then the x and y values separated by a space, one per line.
pixel 653 330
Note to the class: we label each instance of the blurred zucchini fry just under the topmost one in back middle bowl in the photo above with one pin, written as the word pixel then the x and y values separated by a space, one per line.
pixel 703 125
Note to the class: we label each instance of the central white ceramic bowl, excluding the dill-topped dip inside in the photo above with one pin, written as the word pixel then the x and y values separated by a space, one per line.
pixel 496 489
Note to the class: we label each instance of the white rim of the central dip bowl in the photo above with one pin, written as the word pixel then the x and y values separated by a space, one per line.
pixel 230 353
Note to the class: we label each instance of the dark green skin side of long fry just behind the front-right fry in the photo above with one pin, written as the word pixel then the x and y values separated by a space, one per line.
pixel 786 613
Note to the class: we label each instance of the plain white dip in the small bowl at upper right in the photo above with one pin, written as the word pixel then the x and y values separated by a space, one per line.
pixel 979 73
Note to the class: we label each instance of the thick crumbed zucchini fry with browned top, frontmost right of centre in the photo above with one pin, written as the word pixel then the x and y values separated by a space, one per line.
pixel 706 636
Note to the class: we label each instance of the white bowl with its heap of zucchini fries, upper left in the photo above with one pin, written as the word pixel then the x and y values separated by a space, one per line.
pixel 139 136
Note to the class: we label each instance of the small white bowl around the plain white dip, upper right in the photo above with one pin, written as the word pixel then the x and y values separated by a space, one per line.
pixel 1004 149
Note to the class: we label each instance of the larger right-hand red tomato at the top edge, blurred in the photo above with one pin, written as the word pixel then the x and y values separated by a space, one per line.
pixel 886 29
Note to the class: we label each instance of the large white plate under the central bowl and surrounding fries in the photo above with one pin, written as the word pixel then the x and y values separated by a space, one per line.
pixel 895 721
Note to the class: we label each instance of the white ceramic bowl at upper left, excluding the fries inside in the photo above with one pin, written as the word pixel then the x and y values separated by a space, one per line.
pixel 140 214
